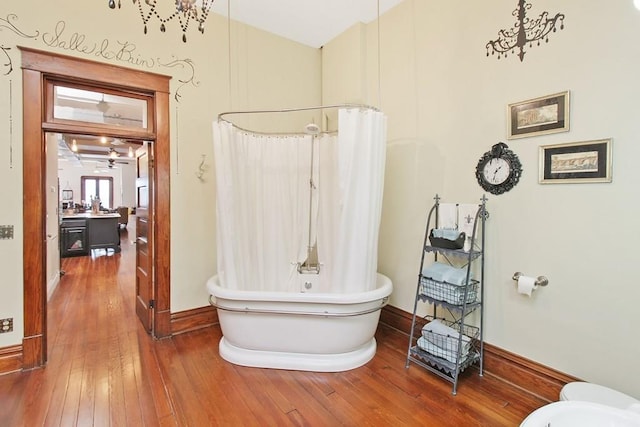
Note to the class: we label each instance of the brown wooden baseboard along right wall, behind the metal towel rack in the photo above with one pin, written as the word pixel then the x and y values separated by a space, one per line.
pixel 525 374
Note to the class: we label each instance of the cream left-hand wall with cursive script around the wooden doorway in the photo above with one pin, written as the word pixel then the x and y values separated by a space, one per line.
pixel 267 71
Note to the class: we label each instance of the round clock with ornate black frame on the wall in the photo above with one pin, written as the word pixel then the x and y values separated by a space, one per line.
pixel 499 169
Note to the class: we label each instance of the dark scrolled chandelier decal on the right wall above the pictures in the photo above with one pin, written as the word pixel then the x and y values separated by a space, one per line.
pixel 524 31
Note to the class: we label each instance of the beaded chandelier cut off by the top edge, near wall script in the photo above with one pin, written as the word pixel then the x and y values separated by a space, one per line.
pixel 184 11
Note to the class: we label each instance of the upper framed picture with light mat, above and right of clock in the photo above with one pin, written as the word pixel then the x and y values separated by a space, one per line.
pixel 539 116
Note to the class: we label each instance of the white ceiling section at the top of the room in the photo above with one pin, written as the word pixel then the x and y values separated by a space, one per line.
pixel 310 22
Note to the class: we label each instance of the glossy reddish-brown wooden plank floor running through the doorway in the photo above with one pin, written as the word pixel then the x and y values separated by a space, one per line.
pixel 103 370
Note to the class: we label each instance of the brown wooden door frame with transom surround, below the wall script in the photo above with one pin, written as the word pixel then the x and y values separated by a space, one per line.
pixel 36 67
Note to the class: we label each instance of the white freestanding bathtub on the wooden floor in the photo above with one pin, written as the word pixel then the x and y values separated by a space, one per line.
pixel 321 332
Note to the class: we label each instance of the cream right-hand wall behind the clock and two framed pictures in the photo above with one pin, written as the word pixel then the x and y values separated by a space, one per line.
pixel 446 103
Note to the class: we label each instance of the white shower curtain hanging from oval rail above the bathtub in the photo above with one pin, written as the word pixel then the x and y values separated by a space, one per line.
pixel 262 204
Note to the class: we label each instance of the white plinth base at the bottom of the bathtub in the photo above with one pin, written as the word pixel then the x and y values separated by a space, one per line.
pixel 298 361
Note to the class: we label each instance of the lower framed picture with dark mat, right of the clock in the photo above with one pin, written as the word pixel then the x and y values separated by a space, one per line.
pixel 586 161
